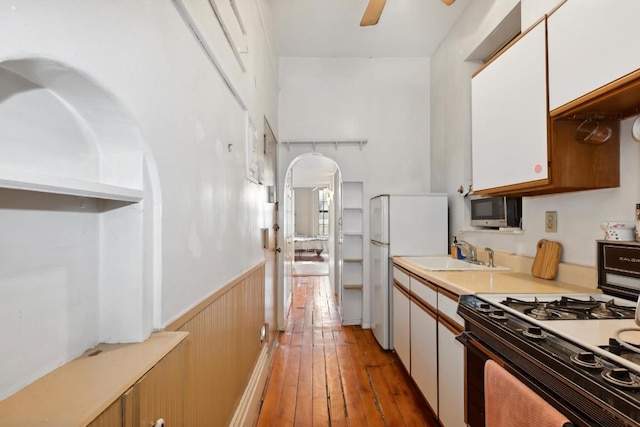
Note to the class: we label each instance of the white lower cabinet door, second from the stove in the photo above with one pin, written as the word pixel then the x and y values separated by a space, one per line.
pixel 424 353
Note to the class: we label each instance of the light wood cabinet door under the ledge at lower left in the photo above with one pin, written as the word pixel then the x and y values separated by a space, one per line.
pixel 160 393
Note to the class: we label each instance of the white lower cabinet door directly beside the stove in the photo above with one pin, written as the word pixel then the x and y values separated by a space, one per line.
pixel 451 378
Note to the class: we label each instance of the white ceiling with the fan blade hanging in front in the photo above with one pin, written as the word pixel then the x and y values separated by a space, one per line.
pixel 331 28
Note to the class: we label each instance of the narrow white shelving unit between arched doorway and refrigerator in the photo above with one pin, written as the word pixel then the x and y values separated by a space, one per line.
pixel 352 250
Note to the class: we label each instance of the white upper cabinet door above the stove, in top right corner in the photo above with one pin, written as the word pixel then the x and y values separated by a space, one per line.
pixel 591 43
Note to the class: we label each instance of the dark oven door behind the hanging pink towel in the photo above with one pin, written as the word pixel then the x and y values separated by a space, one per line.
pixel 476 355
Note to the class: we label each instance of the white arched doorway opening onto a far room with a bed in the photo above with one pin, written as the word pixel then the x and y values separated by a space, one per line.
pixel 313 175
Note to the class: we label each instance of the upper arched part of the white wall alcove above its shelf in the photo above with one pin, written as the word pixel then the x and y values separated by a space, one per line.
pixel 62 127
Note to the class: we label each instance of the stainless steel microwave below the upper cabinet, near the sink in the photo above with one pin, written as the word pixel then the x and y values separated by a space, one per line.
pixel 496 212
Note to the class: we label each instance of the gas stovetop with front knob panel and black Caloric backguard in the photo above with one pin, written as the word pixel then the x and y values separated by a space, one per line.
pixel 577 351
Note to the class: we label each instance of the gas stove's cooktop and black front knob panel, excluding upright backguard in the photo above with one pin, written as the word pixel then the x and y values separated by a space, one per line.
pixel 577 363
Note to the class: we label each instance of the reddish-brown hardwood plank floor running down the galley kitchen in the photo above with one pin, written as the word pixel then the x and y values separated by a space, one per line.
pixel 324 374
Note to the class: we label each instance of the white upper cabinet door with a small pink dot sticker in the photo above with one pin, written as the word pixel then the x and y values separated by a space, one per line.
pixel 510 115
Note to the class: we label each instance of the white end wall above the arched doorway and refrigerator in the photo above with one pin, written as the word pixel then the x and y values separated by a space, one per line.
pixel 382 100
